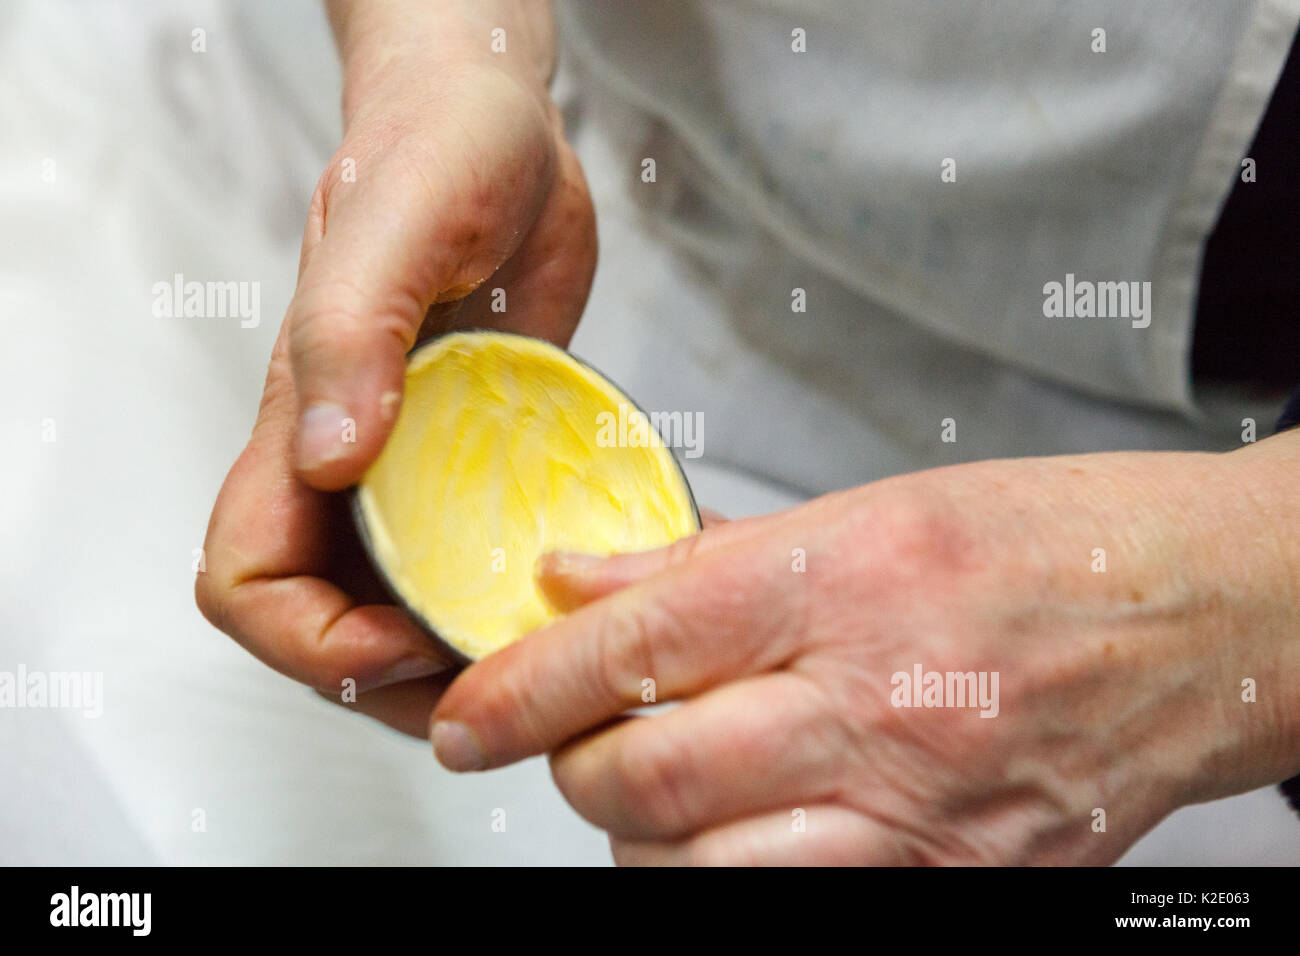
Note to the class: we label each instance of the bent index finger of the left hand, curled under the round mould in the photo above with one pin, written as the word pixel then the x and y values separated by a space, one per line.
pixel 270 546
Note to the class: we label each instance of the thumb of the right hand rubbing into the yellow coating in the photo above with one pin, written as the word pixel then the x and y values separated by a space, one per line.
pixel 570 581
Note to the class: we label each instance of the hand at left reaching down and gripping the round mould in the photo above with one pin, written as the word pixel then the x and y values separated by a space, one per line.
pixel 462 176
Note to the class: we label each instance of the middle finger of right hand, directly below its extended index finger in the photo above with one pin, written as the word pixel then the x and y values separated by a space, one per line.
pixel 720 758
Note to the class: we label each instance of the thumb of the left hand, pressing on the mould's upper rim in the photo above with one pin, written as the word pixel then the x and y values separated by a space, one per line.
pixel 366 287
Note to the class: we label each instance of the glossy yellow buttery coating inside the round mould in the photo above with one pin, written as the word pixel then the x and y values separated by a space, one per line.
pixel 499 456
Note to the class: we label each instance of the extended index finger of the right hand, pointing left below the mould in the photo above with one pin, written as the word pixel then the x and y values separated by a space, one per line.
pixel 727 613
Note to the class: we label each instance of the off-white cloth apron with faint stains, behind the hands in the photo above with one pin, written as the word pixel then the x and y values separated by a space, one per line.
pixel 825 171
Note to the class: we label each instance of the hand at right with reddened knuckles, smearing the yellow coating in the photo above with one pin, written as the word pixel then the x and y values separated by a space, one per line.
pixel 1119 691
